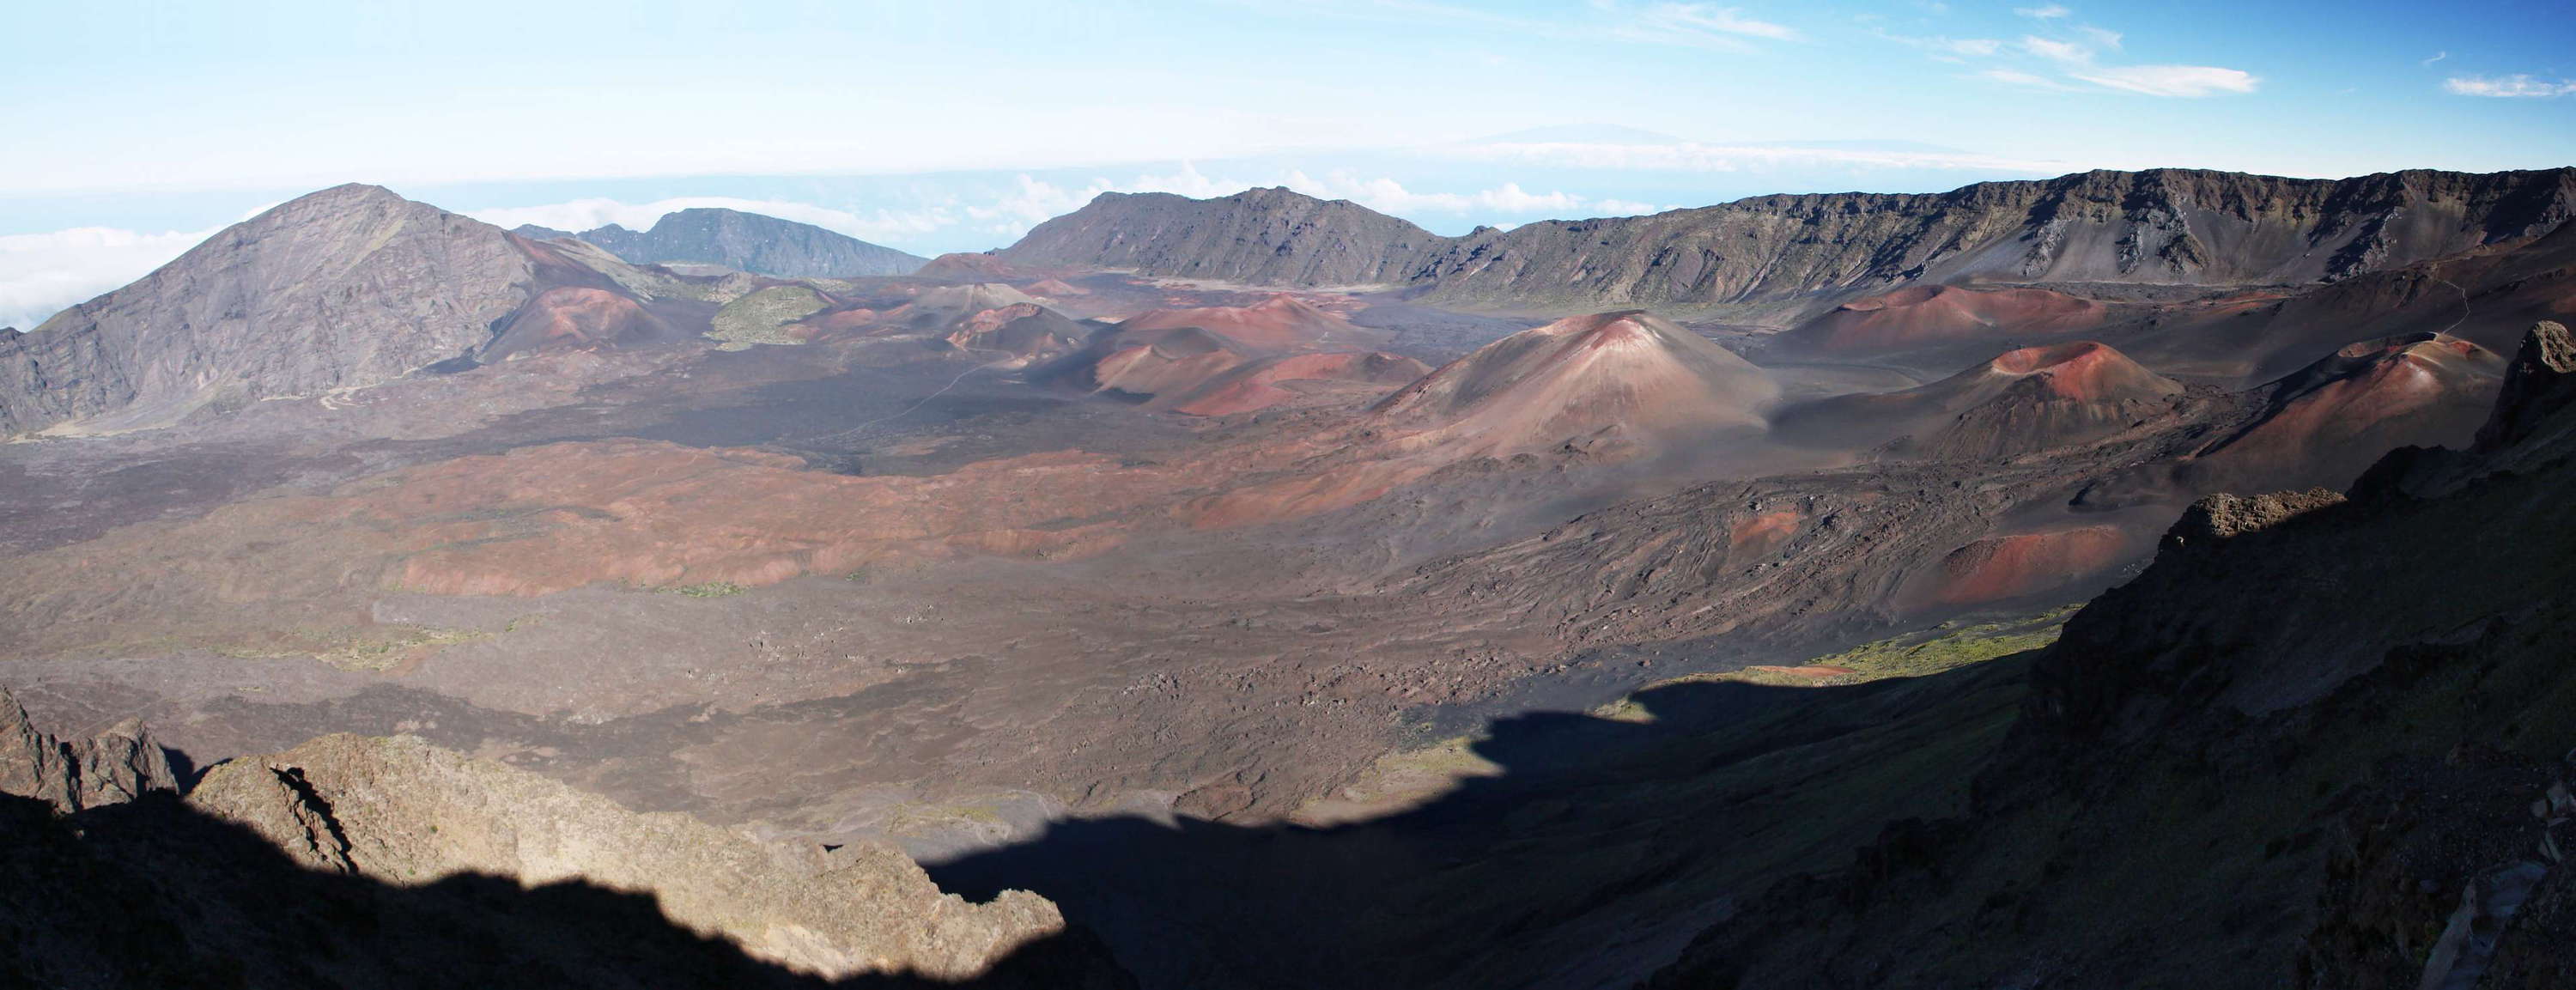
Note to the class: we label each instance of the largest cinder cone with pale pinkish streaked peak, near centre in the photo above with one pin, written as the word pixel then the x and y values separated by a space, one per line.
pixel 1624 375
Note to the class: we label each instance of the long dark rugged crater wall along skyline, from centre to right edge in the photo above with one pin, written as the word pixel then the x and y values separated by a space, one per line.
pixel 2186 228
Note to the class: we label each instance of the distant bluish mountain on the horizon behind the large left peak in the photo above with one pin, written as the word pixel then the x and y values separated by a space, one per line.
pixel 764 246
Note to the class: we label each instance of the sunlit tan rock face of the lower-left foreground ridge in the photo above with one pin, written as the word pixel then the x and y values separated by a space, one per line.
pixel 403 811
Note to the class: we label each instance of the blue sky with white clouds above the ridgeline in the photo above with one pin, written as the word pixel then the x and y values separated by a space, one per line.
pixel 135 130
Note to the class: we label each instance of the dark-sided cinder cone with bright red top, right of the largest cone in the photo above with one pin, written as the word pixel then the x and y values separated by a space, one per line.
pixel 2018 403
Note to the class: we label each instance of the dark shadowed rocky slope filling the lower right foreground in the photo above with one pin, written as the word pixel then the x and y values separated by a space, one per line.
pixel 2322 741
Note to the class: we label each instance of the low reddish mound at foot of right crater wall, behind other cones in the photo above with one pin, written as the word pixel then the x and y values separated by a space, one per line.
pixel 1928 316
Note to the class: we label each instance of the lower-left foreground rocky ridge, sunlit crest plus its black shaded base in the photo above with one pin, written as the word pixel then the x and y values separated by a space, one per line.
pixel 390 862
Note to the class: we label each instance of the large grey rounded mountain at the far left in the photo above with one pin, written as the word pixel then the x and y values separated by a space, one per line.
pixel 344 287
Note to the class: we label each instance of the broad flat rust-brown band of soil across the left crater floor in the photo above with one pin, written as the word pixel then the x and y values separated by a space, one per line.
pixel 599 512
